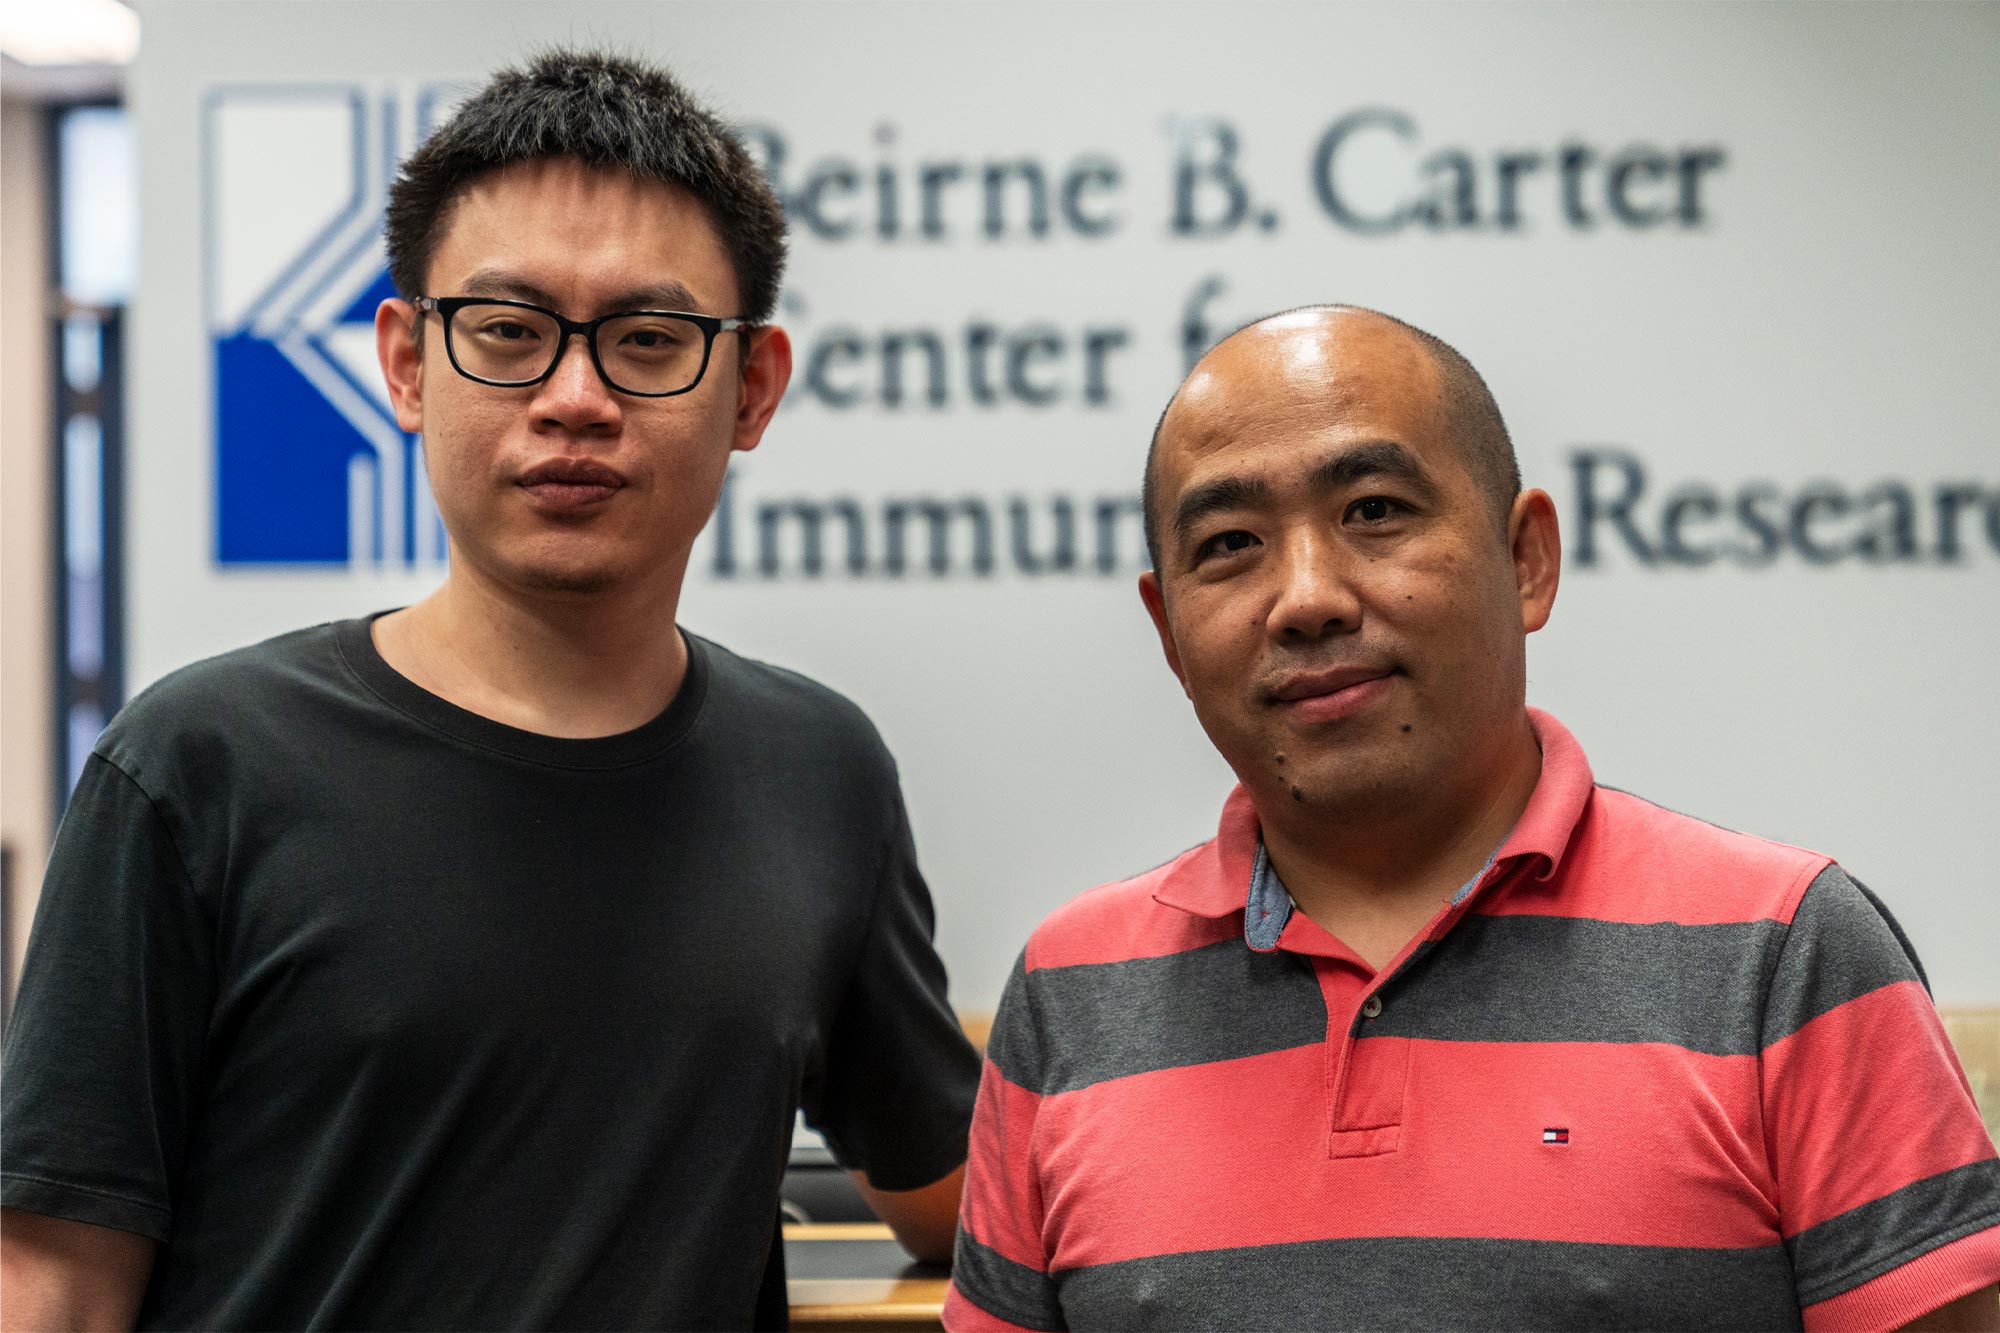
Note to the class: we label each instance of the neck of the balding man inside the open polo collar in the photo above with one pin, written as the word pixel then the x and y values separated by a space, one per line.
pixel 1377 878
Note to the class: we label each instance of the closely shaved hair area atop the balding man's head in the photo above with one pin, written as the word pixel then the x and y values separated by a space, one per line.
pixel 1467 409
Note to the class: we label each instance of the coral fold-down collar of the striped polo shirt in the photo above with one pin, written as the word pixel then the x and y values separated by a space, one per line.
pixel 1219 878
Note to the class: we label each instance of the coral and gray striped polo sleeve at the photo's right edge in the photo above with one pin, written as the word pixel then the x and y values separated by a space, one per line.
pixel 1889 1190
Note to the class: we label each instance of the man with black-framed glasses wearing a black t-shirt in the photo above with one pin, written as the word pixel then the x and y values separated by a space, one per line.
pixel 465 966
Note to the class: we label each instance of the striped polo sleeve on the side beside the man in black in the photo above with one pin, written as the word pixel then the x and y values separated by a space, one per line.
pixel 1001 1264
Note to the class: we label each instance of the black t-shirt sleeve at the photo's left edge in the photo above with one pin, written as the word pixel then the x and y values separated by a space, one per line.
pixel 105 1046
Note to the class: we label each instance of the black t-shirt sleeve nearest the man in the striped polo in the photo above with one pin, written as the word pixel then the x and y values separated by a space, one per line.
pixel 901 1076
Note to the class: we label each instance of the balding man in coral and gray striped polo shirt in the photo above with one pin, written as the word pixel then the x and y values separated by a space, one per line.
pixel 1437 1032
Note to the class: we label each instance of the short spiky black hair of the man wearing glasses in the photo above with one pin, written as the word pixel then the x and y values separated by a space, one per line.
pixel 605 111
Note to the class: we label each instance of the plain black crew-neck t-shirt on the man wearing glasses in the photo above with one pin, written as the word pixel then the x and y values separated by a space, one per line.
pixel 375 1012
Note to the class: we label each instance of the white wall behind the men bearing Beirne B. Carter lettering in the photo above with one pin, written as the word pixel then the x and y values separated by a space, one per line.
pixel 1819 313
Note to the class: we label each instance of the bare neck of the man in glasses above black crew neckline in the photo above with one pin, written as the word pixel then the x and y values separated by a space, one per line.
pixel 561 665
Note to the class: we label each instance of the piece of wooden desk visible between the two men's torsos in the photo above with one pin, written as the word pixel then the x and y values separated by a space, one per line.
pixel 855 1276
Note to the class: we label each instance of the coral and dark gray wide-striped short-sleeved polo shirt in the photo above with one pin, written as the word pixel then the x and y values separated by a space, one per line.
pixel 1643 1074
